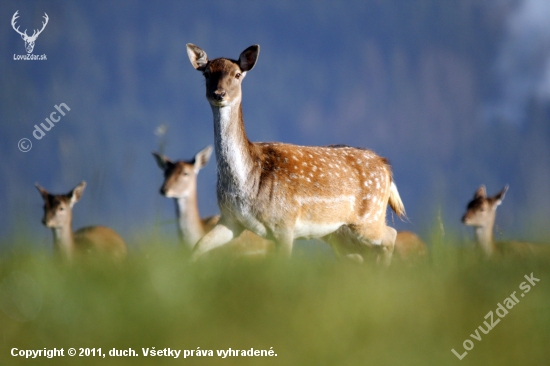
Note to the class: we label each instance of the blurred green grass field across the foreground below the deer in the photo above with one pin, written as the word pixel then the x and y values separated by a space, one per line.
pixel 308 310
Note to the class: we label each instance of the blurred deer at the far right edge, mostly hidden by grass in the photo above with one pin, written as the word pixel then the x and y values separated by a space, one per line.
pixel 481 214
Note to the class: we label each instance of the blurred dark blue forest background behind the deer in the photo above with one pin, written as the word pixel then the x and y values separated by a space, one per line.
pixel 454 93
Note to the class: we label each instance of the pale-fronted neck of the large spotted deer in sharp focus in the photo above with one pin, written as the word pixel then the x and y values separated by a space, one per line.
pixel 233 154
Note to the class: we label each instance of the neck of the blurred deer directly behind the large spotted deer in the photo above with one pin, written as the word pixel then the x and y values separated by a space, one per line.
pixel 189 221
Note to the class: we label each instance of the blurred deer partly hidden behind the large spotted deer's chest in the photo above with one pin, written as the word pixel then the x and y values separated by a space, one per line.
pixel 180 183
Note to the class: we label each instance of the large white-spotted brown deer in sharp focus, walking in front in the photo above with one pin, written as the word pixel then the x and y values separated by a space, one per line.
pixel 283 192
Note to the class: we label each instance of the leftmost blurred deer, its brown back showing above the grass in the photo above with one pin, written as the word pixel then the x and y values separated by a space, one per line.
pixel 58 216
